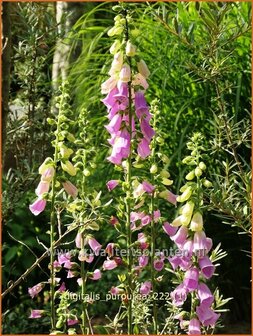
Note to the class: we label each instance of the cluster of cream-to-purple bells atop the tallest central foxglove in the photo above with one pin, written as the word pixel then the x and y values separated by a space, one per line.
pixel 125 77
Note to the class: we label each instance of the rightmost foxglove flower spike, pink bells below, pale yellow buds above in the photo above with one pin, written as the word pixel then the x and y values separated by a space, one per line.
pixel 187 232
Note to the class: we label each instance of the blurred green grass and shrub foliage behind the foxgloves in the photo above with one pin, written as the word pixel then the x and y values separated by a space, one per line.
pixel 199 55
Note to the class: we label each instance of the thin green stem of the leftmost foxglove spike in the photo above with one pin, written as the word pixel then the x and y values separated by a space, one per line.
pixel 52 223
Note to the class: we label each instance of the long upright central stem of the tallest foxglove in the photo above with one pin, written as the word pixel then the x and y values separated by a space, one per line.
pixel 128 201
